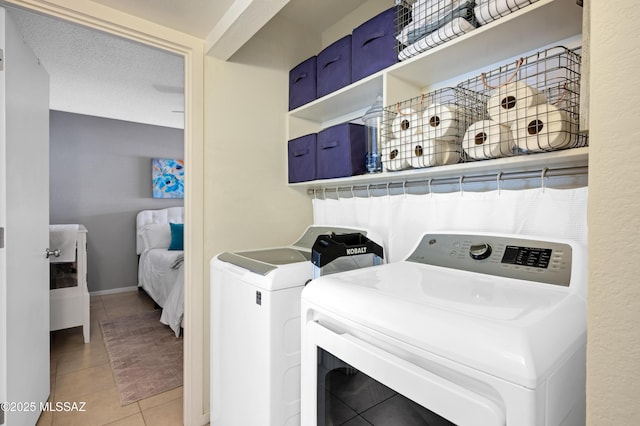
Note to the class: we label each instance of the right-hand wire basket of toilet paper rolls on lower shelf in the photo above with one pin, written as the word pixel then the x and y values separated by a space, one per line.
pixel 532 105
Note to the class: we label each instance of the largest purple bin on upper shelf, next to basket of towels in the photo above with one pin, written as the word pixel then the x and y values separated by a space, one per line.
pixel 374 46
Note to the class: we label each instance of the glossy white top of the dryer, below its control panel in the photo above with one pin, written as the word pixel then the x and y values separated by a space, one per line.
pixel 510 328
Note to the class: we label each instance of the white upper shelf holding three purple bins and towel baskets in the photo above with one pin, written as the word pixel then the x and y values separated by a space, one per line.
pixel 539 24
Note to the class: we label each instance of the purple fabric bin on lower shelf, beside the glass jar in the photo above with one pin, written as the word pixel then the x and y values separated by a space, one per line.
pixel 341 151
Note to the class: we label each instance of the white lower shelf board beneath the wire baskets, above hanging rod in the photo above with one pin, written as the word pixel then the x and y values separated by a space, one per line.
pixel 575 157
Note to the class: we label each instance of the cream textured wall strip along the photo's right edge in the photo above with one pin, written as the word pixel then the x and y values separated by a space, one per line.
pixel 613 358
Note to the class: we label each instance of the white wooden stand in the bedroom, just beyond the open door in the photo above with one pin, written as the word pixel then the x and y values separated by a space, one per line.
pixel 68 294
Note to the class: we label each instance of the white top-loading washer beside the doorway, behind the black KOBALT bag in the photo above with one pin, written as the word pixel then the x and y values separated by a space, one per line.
pixel 255 332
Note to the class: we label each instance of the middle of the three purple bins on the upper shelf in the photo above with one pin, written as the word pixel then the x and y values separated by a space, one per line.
pixel 334 67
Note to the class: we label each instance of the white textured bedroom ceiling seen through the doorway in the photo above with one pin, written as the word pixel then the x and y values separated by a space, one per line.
pixel 99 74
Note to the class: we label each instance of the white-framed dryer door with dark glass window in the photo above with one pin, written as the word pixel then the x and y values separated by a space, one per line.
pixel 346 380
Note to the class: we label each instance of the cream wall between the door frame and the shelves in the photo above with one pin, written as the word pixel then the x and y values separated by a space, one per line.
pixel 248 203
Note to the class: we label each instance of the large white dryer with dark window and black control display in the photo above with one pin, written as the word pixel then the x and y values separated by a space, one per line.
pixel 468 330
